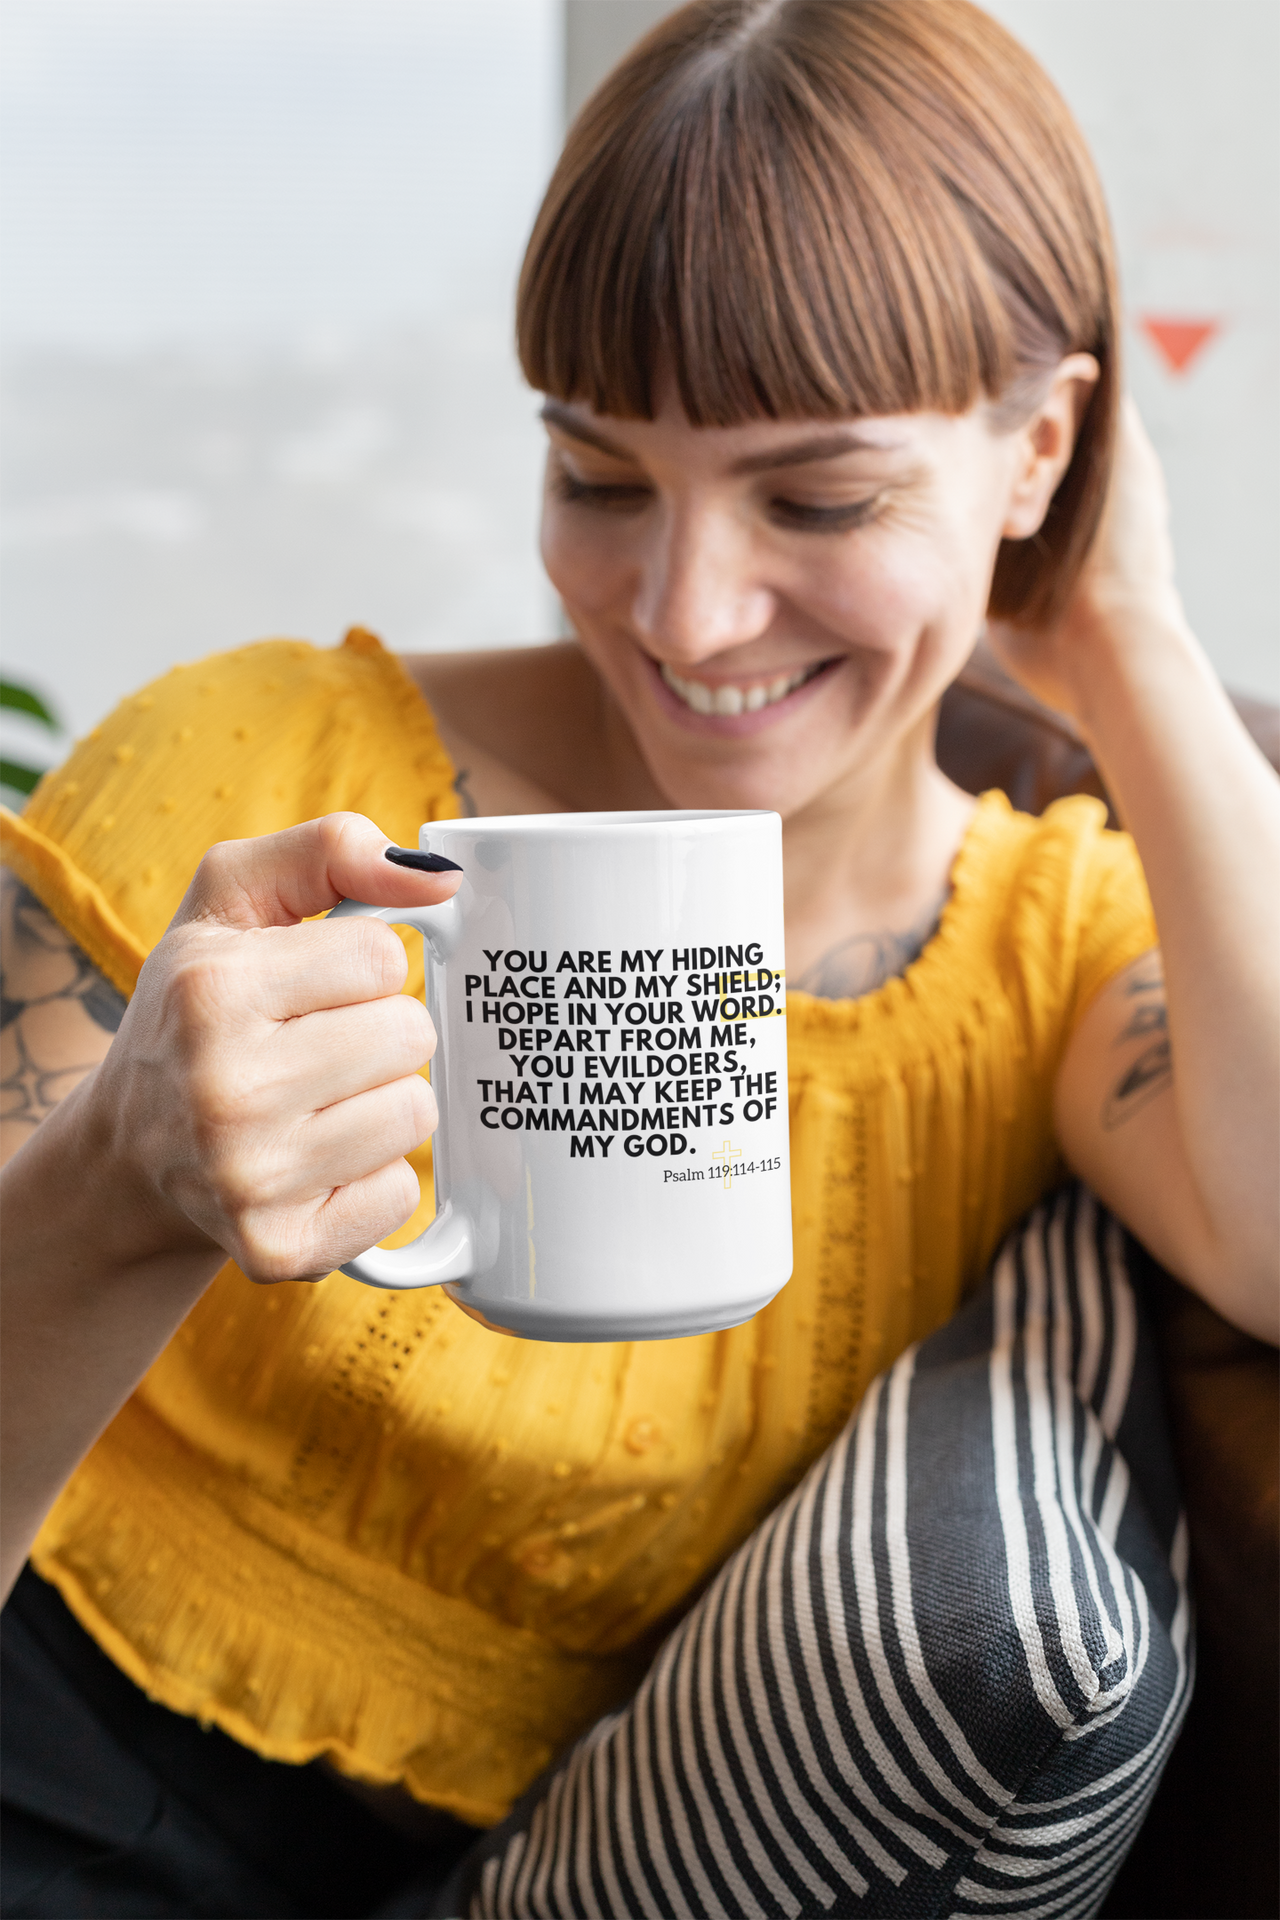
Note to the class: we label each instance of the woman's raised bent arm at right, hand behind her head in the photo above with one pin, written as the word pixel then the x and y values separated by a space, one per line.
pixel 1168 1101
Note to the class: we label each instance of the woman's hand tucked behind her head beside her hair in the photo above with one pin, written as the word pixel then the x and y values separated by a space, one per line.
pixel 1126 590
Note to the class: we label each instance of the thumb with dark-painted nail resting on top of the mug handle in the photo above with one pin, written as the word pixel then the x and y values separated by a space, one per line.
pixel 283 878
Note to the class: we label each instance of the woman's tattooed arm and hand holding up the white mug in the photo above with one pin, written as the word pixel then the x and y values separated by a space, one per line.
pixel 256 1101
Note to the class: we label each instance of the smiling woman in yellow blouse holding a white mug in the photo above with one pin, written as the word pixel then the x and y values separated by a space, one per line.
pixel 822 306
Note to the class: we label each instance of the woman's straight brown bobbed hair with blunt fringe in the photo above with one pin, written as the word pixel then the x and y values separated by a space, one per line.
pixel 830 208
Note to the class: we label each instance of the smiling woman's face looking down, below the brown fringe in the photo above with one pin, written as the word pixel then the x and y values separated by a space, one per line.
pixel 776 608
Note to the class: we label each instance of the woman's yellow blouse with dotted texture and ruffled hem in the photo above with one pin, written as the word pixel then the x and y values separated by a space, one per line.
pixel 356 1524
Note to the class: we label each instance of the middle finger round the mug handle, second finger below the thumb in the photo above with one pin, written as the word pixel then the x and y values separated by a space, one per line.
pixel 339 1053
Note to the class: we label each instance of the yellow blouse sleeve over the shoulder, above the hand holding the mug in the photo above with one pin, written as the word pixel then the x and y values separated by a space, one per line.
pixel 235 746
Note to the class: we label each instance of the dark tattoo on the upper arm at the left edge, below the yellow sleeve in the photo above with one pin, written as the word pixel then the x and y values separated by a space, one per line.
pixel 57 1013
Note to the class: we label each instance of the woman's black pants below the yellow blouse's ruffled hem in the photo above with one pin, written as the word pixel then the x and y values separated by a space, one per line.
pixel 118 1808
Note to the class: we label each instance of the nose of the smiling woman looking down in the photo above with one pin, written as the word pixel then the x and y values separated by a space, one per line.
pixel 699 588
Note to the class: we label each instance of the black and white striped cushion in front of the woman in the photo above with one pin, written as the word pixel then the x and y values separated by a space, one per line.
pixel 945 1675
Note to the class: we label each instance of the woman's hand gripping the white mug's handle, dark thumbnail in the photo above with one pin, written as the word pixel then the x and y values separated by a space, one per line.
pixel 264 1086
